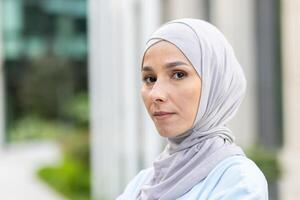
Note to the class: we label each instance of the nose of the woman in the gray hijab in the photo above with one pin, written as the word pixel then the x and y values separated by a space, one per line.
pixel 158 92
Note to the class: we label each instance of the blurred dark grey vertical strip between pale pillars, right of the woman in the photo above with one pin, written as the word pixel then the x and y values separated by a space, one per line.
pixel 268 74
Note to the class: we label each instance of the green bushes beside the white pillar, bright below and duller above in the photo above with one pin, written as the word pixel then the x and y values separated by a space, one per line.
pixel 72 177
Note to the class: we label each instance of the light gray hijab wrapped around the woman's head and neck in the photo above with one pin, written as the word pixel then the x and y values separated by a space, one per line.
pixel 190 157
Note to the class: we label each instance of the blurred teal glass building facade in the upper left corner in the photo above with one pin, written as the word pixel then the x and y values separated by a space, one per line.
pixel 27 35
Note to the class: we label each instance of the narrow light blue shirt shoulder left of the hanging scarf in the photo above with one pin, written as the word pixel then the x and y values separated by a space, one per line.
pixel 132 188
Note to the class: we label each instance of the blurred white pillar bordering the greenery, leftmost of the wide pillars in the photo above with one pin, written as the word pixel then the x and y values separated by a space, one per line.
pixel 105 97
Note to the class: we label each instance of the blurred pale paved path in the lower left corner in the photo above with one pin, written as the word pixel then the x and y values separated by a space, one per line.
pixel 18 166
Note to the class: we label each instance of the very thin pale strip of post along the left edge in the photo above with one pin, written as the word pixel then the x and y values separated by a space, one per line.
pixel 2 93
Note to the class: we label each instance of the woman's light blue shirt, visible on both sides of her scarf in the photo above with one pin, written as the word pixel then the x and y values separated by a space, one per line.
pixel 235 178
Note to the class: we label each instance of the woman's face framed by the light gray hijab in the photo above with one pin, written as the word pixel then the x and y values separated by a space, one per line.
pixel 171 89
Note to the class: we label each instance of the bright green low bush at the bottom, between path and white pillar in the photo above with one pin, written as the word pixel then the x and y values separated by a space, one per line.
pixel 71 179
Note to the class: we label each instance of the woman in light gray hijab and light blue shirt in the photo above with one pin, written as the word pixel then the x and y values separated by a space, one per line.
pixel 192 86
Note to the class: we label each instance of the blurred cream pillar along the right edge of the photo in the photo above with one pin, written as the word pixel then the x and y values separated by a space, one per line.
pixel 291 98
